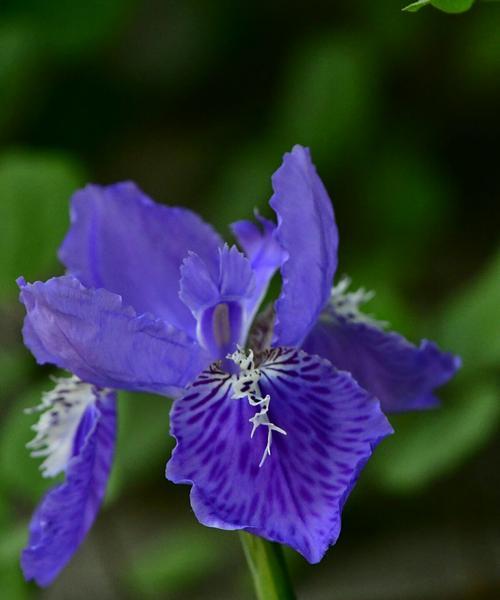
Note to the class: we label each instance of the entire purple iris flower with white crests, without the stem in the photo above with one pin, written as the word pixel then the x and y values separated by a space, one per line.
pixel 275 412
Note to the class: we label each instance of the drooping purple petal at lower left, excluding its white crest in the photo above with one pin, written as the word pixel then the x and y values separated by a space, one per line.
pixel 68 510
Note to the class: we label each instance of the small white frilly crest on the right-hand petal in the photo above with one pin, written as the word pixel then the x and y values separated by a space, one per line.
pixel 348 304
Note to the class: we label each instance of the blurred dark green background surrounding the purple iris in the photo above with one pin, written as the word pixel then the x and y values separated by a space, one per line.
pixel 197 101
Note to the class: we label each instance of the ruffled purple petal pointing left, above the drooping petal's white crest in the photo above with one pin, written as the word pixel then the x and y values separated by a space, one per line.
pixel 92 334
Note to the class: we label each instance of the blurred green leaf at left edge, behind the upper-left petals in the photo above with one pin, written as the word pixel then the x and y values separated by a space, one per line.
pixel 35 190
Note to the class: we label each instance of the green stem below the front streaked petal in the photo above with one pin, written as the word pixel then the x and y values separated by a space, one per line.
pixel 268 568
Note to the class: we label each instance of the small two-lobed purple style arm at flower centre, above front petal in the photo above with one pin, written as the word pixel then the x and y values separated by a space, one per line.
pixel 219 298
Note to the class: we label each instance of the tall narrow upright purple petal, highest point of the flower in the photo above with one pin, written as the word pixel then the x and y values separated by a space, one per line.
pixel 308 234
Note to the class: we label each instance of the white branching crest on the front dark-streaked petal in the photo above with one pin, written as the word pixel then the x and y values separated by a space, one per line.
pixel 246 385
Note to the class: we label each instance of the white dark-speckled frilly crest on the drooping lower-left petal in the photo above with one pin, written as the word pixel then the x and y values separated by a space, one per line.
pixel 62 410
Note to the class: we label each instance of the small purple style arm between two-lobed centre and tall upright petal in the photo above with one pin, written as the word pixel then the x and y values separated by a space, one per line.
pixel 264 252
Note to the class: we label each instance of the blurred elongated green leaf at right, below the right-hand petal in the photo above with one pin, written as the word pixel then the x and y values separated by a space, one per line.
pixel 427 445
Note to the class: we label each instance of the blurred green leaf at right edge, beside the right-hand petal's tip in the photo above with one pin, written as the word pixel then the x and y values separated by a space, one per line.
pixel 469 323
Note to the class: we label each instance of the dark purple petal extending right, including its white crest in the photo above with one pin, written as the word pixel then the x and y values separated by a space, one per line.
pixel 401 375
